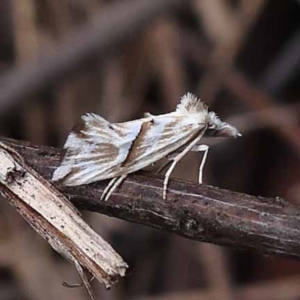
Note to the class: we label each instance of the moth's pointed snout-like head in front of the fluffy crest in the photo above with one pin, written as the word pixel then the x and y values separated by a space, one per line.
pixel 217 128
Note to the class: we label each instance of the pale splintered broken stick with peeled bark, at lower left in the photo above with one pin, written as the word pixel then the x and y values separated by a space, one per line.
pixel 53 217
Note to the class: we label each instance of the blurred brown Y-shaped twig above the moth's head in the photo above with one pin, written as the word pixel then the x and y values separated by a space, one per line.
pixel 228 30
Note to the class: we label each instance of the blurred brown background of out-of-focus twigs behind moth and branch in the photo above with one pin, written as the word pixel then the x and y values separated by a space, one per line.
pixel 241 57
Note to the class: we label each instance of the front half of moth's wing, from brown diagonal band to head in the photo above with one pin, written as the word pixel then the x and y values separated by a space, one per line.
pixel 163 135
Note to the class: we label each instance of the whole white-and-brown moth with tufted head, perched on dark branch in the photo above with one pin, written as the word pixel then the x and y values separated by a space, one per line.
pixel 97 149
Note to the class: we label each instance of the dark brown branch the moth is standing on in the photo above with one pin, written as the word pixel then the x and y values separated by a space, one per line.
pixel 198 212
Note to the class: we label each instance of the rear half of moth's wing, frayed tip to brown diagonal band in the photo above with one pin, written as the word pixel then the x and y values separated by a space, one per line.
pixel 95 149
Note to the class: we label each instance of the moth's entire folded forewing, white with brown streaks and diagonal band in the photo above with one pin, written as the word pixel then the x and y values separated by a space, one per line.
pixel 162 136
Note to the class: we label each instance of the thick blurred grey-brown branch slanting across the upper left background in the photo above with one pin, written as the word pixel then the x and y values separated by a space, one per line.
pixel 111 27
